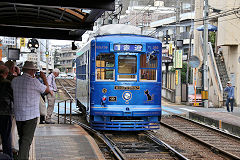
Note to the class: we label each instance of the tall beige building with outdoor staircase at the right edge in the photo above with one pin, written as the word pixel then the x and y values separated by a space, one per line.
pixel 225 40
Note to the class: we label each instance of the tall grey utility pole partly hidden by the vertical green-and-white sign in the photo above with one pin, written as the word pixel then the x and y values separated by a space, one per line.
pixel 178 71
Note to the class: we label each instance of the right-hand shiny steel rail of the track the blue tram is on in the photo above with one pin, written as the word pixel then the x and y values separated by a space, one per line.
pixel 162 143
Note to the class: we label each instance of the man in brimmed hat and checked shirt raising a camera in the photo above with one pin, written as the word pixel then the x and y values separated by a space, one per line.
pixel 26 95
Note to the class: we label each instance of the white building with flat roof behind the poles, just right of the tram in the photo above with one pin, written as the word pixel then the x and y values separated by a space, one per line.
pixel 166 32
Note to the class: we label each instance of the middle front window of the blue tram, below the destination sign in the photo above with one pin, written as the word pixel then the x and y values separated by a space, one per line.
pixel 127 67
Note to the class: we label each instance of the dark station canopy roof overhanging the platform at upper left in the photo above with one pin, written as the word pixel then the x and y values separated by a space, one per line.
pixel 50 19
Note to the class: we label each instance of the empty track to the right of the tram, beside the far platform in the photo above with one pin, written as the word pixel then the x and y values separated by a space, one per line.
pixel 219 142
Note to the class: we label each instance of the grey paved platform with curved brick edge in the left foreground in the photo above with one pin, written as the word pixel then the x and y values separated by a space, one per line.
pixel 63 141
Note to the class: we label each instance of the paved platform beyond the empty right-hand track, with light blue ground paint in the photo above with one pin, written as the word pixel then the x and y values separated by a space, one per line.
pixel 218 117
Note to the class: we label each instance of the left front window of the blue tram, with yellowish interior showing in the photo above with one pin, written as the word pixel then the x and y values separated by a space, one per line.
pixel 105 63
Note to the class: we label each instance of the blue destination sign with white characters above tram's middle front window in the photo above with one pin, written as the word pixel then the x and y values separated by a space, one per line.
pixel 128 47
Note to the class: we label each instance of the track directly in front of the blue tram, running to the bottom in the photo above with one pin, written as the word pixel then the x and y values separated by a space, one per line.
pixel 131 145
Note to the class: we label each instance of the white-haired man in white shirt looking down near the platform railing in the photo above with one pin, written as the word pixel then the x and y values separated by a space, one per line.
pixel 51 98
